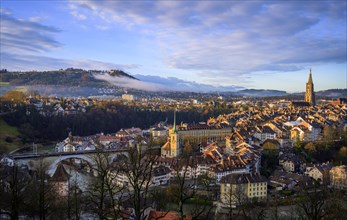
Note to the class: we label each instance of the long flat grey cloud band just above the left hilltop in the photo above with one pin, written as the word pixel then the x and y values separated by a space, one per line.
pixel 30 62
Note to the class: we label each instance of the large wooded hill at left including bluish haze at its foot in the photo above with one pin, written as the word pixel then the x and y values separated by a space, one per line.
pixel 68 82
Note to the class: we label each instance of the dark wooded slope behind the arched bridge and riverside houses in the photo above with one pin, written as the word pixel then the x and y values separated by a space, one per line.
pixel 35 126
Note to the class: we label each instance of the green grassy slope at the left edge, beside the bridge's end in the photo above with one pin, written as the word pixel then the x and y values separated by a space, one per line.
pixel 8 132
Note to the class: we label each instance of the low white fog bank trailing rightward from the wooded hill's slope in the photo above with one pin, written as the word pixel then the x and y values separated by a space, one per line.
pixel 156 83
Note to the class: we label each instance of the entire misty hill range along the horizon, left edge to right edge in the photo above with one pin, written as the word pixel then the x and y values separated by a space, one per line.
pixel 79 82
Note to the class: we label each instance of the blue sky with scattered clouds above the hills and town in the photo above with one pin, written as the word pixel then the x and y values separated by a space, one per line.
pixel 224 44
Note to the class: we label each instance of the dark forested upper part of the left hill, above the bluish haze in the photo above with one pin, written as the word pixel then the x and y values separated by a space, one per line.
pixel 67 77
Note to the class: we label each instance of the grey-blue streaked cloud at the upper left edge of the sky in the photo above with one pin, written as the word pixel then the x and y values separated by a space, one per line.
pixel 26 36
